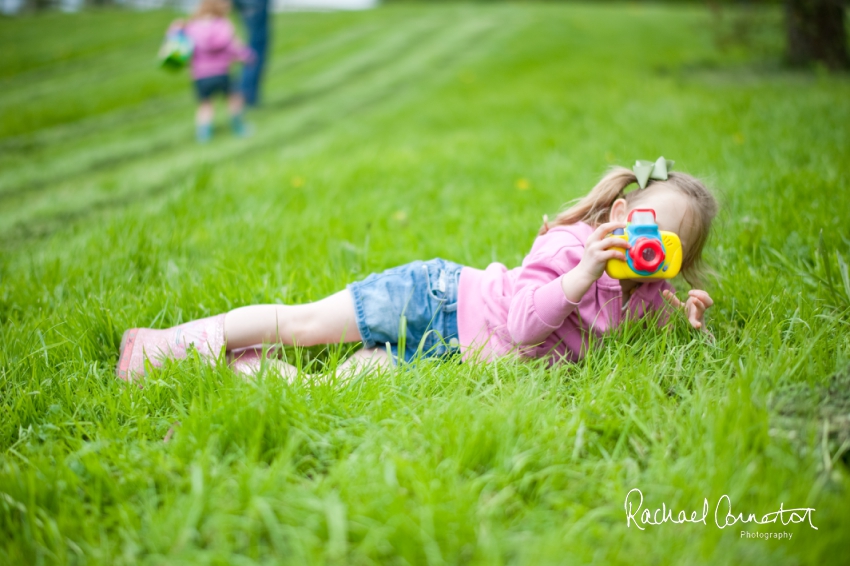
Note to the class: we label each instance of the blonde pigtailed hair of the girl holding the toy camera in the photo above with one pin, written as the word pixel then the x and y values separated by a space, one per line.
pixel 595 208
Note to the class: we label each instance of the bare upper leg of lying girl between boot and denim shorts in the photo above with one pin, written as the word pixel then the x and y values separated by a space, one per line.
pixel 329 321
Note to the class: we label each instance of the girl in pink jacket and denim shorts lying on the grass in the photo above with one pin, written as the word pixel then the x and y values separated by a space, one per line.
pixel 547 307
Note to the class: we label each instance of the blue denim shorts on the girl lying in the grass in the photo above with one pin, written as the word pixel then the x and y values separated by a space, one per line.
pixel 414 304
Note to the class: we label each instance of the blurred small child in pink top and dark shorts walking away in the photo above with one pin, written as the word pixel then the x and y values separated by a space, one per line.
pixel 216 47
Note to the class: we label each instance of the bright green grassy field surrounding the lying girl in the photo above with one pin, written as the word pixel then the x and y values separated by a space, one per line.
pixel 406 133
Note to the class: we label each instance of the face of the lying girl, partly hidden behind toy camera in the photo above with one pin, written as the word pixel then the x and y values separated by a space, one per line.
pixel 672 211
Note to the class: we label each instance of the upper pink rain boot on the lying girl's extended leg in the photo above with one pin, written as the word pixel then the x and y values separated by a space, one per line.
pixel 206 335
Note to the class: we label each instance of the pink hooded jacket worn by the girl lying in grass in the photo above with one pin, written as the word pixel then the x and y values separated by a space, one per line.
pixel 524 310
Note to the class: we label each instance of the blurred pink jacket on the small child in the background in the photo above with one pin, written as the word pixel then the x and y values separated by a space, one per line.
pixel 216 46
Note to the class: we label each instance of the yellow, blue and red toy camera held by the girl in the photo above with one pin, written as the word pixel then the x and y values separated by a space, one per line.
pixel 653 254
